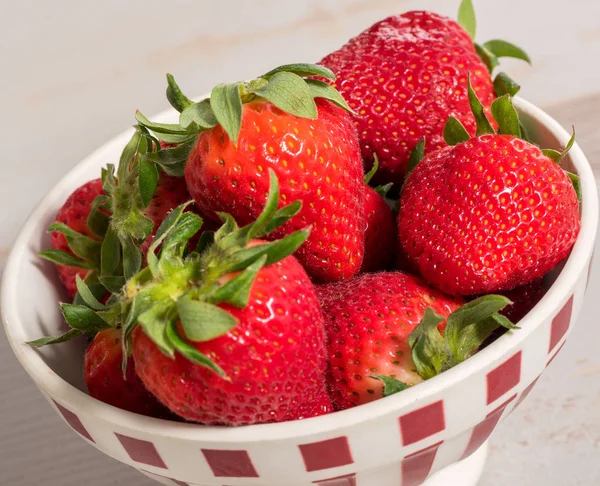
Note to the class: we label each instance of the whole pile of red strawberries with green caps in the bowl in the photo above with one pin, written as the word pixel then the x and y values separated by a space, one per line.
pixel 240 267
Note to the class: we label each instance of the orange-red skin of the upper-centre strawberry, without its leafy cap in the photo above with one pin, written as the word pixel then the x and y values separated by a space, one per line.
pixel 316 161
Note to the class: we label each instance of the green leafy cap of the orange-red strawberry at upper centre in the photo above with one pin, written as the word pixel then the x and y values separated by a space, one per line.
pixel 291 87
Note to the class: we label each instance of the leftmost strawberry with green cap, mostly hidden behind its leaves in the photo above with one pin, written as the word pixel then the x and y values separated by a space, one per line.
pixel 103 220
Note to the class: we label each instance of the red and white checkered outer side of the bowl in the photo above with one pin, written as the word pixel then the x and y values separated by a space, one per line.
pixel 402 449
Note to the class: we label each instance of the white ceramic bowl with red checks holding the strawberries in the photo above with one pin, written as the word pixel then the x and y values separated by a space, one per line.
pixel 400 440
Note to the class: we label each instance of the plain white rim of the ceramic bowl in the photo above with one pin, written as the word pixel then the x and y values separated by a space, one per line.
pixel 56 387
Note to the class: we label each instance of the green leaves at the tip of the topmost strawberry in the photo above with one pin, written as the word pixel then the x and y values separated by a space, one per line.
pixel 490 52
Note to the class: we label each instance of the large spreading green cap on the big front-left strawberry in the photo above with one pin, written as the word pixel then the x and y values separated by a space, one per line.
pixel 176 297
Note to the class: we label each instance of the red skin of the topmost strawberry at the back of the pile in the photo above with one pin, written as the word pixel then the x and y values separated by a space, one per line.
pixel 404 77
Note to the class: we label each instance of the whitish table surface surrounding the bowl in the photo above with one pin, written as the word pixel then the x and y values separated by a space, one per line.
pixel 73 72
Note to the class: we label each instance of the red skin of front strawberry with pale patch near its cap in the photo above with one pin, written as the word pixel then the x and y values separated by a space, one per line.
pixel 368 320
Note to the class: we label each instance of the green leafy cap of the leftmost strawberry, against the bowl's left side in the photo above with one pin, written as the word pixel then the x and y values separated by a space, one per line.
pixel 116 218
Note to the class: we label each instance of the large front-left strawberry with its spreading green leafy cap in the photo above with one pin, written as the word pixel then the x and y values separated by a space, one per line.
pixel 229 334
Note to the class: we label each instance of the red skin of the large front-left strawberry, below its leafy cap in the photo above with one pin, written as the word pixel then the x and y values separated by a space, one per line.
pixel 275 359
